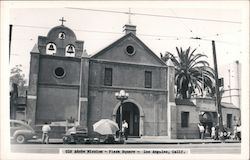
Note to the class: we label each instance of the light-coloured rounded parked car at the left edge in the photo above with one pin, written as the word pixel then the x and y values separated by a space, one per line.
pixel 21 132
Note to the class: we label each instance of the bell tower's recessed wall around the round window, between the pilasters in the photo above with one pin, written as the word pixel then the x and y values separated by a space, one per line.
pixel 57 98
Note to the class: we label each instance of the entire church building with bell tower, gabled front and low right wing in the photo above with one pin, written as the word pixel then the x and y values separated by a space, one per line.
pixel 66 85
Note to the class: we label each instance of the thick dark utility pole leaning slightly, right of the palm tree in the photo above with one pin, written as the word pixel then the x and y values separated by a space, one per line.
pixel 217 88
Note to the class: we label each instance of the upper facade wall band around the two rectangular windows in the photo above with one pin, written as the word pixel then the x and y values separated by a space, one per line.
pixel 127 75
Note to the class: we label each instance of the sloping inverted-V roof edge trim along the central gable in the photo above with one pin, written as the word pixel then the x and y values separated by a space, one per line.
pixel 123 38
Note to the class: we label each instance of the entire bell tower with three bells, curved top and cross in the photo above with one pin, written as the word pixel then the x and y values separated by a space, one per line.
pixel 58 79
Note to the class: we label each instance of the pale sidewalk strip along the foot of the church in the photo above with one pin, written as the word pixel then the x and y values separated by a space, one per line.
pixel 149 140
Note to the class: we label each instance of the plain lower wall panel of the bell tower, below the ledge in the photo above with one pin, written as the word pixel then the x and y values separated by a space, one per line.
pixel 56 104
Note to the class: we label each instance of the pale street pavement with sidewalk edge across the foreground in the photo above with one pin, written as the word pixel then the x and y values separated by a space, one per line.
pixel 194 146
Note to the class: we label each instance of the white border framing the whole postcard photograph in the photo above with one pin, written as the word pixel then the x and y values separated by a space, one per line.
pixel 6 5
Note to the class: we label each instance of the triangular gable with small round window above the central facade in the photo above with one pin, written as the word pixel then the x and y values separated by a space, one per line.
pixel 129 49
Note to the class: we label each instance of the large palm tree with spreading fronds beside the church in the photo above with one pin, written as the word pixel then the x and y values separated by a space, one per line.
pixel 191 73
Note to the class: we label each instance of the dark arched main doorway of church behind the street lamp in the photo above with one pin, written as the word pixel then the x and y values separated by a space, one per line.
pixel 131 114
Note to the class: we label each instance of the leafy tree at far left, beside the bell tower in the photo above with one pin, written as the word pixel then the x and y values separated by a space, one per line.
pixel 17 76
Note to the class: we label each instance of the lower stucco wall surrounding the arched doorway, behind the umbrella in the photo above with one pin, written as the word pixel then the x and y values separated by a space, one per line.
pixel 102 103
